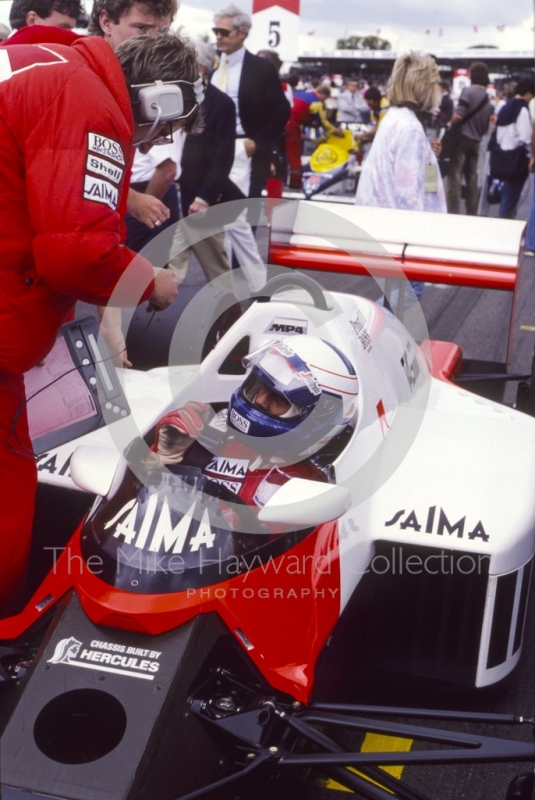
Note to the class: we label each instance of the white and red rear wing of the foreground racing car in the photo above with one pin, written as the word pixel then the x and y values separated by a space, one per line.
pixel 479 252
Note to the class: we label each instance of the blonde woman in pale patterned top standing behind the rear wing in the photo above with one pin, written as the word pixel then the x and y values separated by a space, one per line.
pixel 401 170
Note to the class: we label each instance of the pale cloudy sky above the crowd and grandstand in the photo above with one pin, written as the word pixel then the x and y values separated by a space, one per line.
pixel 403 22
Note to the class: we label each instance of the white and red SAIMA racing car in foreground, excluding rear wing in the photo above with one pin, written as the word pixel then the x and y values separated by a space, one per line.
pixel 182 627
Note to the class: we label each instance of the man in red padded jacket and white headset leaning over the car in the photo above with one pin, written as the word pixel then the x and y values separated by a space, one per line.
pixel 63 174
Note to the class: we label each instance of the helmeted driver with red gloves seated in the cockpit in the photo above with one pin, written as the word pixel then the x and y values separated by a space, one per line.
pixel 290 418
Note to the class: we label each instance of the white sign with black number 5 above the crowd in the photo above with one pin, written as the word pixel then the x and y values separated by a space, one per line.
pixel 275 27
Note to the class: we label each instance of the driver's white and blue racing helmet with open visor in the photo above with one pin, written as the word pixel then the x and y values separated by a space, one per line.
pixel 314 387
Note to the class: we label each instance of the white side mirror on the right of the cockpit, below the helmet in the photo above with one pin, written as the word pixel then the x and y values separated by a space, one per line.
pixel 301 502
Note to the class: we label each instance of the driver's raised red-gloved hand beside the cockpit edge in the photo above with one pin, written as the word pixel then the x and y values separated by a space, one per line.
pixel 178 430
